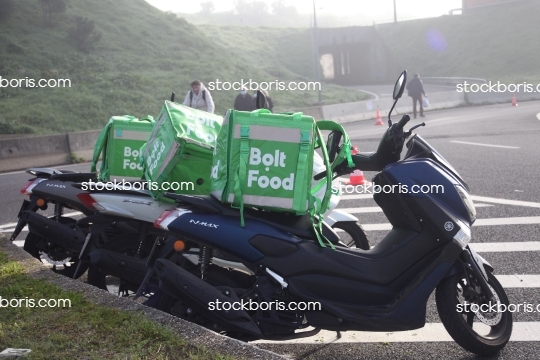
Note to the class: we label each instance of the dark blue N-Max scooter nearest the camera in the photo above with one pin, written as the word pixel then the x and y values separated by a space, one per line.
pixel 382 289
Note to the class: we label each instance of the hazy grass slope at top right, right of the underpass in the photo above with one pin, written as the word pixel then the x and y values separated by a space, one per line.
pixel 497 43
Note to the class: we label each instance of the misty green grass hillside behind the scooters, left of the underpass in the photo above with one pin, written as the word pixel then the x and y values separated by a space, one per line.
pixel 144 54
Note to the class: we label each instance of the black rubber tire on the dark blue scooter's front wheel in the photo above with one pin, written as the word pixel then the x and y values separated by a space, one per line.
pixel 460 325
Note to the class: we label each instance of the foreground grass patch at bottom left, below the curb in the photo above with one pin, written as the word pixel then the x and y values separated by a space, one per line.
pixel 84 330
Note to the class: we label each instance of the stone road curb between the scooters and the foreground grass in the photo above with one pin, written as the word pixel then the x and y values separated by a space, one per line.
pixel 192 333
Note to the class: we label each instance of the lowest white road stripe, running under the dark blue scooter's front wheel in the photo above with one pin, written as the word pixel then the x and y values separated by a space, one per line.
pixel 433 332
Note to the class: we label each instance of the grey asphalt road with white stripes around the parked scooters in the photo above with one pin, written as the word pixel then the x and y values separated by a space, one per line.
pixel 496 149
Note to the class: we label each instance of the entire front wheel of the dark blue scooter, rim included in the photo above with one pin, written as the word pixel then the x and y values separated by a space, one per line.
pixel 478 326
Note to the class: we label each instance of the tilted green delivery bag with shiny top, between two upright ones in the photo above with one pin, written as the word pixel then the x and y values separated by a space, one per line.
pixel 178 156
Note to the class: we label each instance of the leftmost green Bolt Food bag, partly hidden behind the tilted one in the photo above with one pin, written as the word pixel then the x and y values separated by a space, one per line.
pixel 119 145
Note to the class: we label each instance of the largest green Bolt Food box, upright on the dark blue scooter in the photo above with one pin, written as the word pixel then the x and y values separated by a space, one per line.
pixel 265 160
